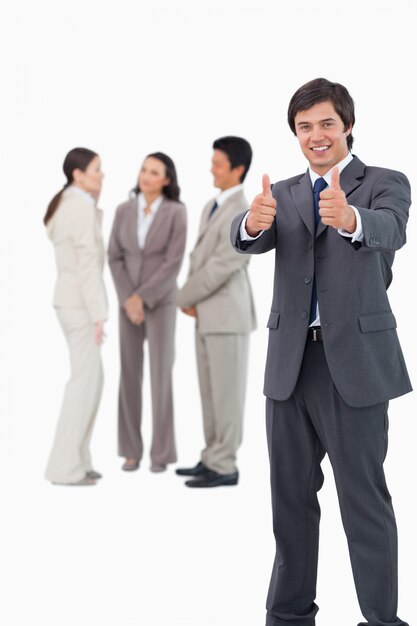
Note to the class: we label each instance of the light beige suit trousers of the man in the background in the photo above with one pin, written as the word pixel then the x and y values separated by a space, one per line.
pixel 222 368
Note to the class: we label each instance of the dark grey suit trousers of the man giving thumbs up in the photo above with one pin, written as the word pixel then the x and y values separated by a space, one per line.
pixel 300 431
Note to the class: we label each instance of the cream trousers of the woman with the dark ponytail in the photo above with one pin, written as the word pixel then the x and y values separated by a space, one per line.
pixel 70 457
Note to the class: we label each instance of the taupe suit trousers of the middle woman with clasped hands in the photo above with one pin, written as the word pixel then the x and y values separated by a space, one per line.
pixel 159 329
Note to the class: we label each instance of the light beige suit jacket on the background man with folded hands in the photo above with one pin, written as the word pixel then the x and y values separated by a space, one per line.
pixel 218 282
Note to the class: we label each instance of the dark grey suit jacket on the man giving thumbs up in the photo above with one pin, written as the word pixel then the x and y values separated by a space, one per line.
pixel 360 340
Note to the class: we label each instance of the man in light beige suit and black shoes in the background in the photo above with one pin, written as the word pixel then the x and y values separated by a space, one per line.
pixel 218 295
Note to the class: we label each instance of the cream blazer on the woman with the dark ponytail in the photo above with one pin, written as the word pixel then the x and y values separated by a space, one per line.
pixel 75 231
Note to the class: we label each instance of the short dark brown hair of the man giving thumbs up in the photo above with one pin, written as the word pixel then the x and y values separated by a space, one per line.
pixel 321 90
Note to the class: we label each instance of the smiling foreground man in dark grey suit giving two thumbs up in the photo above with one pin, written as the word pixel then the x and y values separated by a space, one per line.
pixel 334 359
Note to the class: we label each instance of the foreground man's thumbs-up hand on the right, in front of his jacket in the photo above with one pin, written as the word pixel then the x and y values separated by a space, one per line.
pixel 333 207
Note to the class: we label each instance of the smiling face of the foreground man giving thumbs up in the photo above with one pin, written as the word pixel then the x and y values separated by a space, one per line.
pixel 322 136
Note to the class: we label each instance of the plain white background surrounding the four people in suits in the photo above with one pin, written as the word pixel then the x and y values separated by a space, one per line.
pixel 127 78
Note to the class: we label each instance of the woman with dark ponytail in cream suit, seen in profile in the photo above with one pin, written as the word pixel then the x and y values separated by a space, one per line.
pixel 74 226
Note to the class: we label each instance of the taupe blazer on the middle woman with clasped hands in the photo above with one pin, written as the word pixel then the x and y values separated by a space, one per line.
pixel 150 272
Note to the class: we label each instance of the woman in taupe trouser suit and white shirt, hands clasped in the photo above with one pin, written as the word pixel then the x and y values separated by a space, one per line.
pixel 145 253
